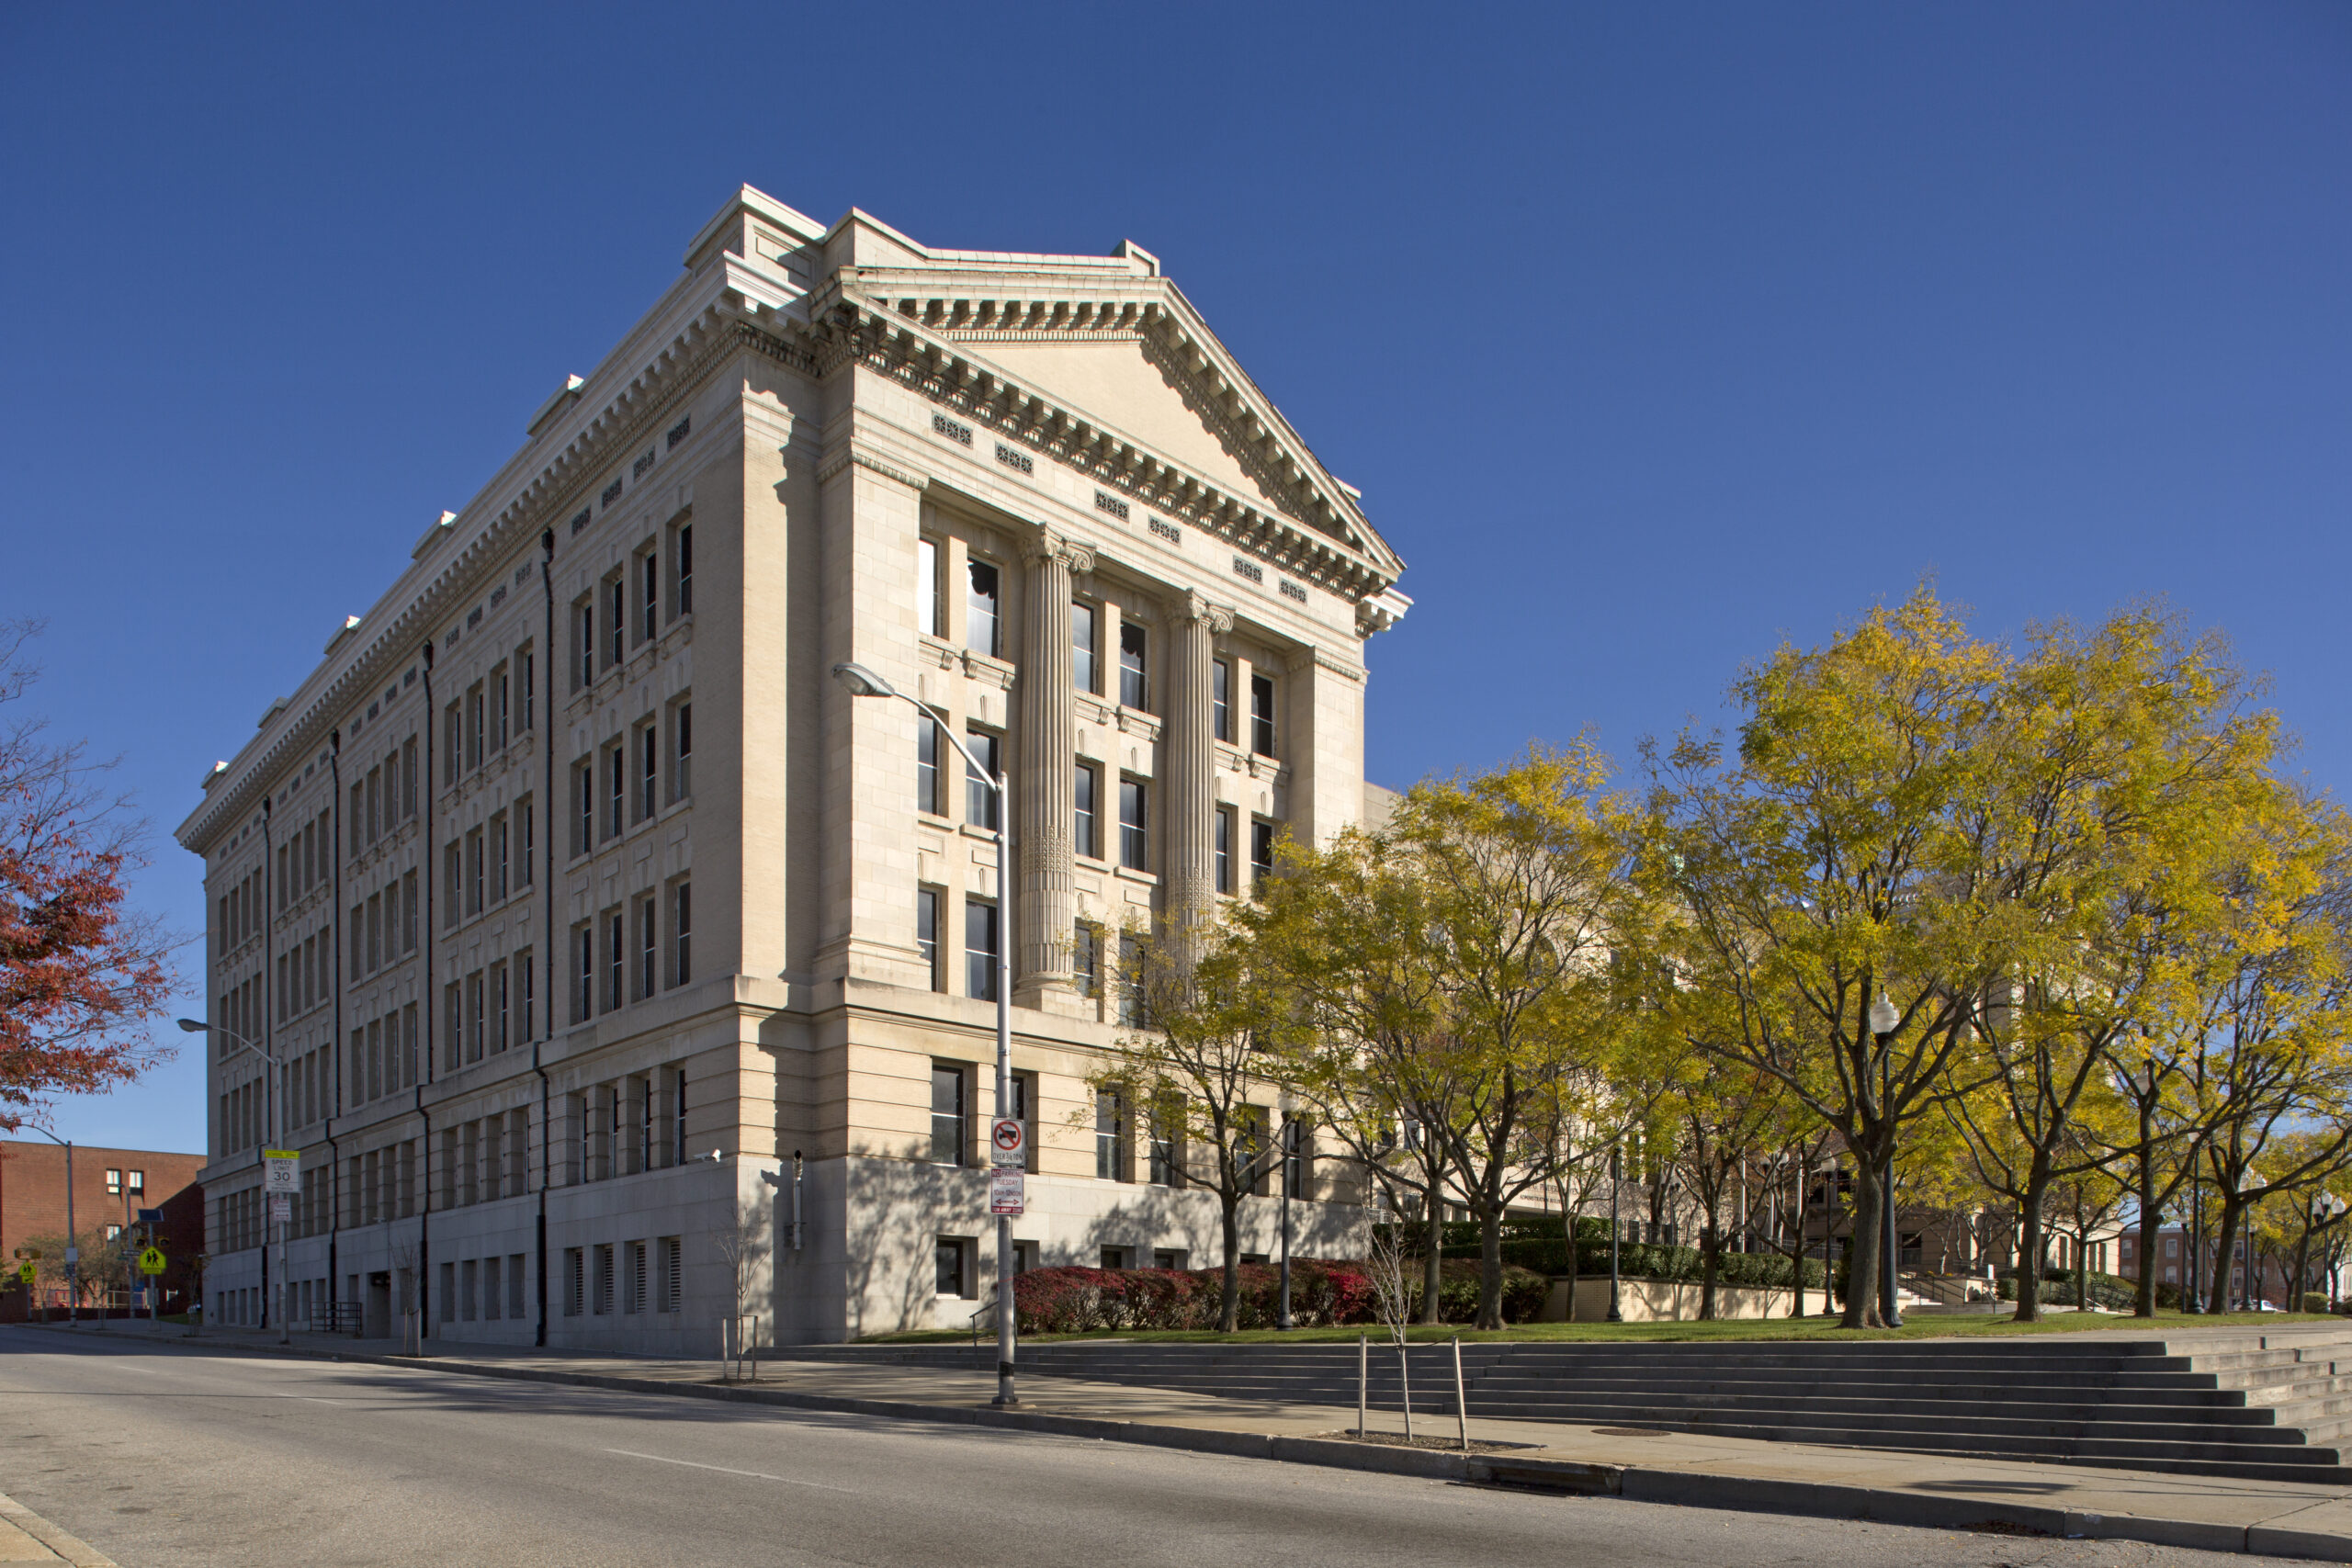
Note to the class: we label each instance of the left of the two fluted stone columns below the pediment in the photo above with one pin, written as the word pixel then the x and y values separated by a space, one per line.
pixel 1048 793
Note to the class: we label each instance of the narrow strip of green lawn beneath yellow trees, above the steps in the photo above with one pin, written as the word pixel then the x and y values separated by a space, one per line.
pixel 1737 1329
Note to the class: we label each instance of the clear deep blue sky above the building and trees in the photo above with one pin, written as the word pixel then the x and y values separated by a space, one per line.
pixel 1655 335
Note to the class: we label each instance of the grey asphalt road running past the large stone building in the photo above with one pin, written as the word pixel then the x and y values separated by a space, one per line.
pixel 171 1459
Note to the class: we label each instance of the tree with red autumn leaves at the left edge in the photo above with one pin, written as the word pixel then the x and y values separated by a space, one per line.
pixel 81 977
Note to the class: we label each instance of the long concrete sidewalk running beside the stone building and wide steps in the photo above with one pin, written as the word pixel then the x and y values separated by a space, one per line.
pixel 1683 1468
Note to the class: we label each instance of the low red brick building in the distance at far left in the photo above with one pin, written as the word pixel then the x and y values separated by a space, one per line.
pixel 109 1191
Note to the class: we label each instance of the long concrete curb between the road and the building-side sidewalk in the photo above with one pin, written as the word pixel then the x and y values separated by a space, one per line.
pixel 1568 1477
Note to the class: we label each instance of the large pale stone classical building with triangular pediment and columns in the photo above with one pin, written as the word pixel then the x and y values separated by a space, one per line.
pixel 596 925
